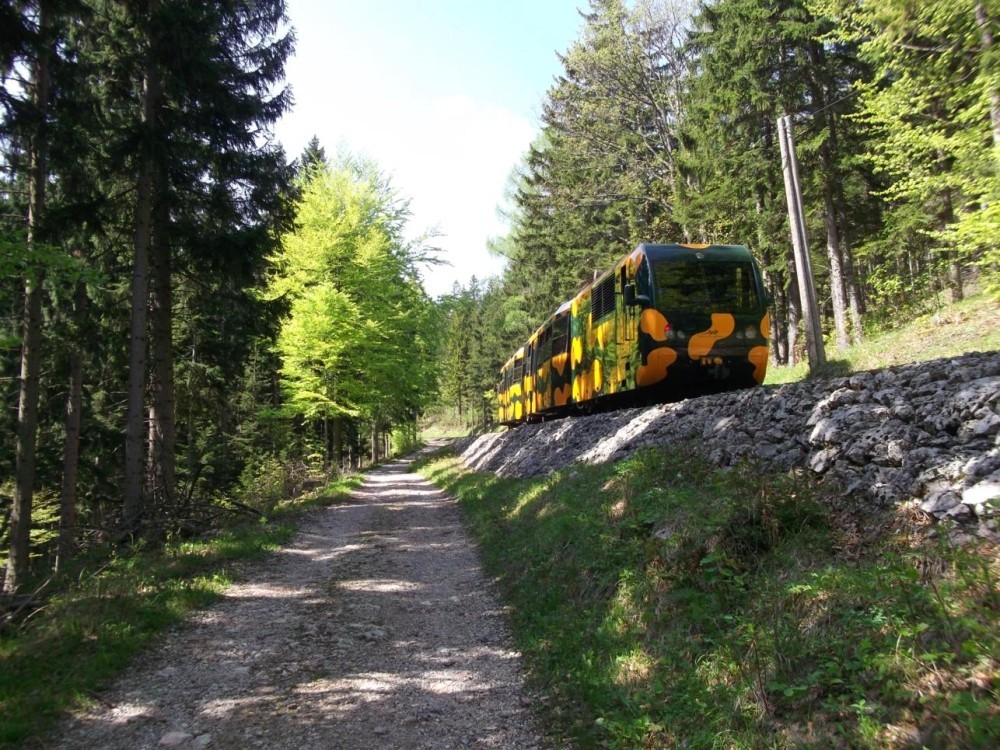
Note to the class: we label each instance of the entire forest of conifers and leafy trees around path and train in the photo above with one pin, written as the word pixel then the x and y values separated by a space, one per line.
pixel 168 275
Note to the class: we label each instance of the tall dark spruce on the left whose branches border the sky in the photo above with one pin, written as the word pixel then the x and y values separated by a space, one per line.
pixel 196 92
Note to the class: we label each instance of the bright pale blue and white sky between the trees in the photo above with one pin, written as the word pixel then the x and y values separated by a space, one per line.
pixel 444 95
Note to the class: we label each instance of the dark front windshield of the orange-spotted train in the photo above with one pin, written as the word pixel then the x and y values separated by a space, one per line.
pixel 692 285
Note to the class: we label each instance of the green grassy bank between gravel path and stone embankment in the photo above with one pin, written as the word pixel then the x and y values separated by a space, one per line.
pixel 661 603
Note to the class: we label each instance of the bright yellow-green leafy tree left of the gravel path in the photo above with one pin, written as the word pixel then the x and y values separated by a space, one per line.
pixel 356 342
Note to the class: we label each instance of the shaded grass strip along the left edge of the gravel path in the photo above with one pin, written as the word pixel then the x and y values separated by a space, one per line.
pixel 112 605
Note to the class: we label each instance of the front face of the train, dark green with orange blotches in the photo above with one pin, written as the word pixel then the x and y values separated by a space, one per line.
pixel 704 323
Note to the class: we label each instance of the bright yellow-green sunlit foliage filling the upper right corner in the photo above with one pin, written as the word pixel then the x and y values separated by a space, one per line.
pixel 931 106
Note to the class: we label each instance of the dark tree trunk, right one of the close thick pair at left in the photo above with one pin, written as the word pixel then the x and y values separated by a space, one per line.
pixel 161 466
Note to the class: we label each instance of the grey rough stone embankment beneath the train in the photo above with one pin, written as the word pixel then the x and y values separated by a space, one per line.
pixel 924 434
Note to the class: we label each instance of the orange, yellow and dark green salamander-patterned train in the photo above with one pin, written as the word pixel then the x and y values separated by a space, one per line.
pixel 667 321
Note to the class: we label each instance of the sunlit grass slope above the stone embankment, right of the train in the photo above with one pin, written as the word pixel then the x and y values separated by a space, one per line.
pixel 945 331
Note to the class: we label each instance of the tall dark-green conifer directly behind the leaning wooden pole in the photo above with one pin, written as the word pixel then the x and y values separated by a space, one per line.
pixel 755 62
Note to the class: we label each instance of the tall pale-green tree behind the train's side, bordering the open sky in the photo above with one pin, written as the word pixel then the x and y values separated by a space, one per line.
pixel 603 175
